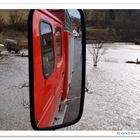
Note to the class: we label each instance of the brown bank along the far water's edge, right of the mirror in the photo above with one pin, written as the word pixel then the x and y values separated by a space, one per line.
pixel 110 35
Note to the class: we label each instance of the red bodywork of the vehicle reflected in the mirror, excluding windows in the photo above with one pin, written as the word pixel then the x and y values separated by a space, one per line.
pixel 51 91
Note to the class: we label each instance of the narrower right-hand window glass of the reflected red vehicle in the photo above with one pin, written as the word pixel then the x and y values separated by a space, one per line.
pixel 58 44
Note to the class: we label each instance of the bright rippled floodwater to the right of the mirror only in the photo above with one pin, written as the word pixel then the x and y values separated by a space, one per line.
pixel 113 100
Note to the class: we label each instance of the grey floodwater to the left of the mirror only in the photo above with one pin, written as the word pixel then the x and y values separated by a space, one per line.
pixel 14 94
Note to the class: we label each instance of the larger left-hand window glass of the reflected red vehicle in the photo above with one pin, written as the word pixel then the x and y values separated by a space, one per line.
pixel 47 48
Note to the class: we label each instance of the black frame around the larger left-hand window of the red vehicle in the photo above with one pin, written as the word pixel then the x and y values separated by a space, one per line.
pixel 46 22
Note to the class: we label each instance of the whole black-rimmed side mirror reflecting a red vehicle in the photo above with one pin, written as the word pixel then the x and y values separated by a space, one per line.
pixel 57 56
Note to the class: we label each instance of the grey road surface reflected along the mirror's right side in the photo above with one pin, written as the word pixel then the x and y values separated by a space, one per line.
pixel 75 90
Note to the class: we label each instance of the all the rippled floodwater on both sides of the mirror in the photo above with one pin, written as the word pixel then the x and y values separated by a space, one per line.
pixel 112 103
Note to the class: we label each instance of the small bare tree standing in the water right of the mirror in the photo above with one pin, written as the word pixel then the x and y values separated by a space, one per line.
pixel 97 50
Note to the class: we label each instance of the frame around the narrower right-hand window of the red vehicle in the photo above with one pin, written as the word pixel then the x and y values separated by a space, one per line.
pixel 60 30
